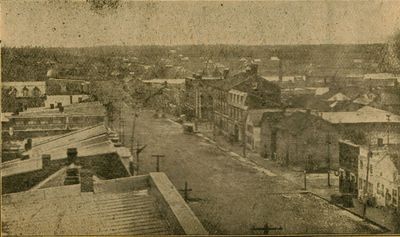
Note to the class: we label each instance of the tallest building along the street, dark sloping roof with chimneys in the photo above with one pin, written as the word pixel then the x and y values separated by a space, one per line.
pixel 236 97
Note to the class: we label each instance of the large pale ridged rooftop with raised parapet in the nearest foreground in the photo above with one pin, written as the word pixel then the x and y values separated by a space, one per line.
pixel 139 205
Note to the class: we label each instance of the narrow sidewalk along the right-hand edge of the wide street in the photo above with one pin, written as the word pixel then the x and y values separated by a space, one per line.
pixel 316 183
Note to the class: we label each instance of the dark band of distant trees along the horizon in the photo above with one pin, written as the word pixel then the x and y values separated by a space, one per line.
pixel 32 63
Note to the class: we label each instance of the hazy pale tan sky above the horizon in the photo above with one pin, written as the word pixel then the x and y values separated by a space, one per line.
pixel 73 23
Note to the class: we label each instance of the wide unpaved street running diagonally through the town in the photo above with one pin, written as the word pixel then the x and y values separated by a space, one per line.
pixel 230 195
